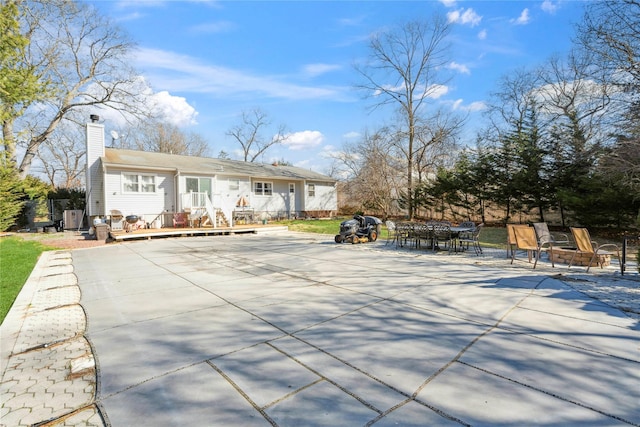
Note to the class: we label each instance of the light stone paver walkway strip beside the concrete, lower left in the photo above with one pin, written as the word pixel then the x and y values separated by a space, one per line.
pixel 47 363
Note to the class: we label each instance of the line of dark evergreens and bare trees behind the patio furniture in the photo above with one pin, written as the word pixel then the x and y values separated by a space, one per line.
pixel 559 137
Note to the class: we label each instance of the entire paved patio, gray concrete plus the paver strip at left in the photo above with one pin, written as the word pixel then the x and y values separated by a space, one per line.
pixel 292 329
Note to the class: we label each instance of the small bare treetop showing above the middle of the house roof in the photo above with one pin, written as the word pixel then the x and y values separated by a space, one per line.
pixel 249 134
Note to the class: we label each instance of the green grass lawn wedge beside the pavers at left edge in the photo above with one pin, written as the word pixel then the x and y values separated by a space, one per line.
pixel 17 259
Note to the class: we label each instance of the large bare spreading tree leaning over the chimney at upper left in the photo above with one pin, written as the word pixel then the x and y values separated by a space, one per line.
pixel 83 58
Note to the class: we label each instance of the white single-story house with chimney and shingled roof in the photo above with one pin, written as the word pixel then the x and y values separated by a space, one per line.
pixel 155 186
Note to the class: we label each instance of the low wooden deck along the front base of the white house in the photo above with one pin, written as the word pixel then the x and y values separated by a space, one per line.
pixel 159 233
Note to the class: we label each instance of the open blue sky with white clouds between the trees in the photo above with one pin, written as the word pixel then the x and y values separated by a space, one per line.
pixel 207 61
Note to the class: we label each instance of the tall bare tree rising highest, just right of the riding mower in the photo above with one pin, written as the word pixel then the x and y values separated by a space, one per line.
pixel 403 71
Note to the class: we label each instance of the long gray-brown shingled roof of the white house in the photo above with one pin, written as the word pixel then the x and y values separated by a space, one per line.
pixel 205 165
